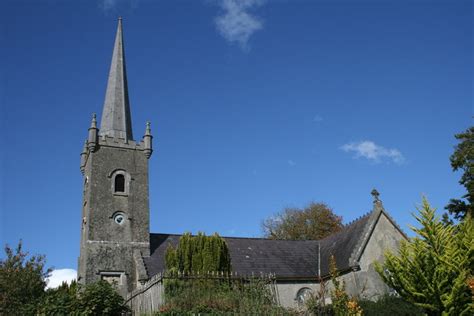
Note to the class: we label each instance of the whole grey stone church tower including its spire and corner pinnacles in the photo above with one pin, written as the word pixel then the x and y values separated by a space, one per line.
pixel 115 211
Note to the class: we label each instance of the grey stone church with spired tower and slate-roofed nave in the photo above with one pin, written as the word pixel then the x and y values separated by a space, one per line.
pixel 117 245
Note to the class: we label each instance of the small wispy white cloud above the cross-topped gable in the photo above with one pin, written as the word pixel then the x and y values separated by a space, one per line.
pixel 371 151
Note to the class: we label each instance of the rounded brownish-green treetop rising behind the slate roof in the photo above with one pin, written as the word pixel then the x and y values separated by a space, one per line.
pixel 315 221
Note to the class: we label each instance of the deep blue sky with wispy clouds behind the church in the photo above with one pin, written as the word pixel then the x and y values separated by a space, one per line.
pixel 255 106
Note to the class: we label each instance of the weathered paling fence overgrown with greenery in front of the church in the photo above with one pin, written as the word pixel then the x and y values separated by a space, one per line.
pixel 216 290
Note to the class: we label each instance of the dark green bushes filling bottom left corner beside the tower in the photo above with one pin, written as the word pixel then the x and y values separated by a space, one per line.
pixel 22 290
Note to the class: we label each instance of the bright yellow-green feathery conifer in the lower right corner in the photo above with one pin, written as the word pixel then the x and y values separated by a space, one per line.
pixel 434 269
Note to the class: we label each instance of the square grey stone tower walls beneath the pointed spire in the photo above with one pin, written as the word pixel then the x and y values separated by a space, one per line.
pixel 115 223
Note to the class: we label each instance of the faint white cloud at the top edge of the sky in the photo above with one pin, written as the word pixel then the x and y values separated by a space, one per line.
pixel 236 24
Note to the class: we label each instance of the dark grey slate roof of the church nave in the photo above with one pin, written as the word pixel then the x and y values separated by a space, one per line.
pixel 287 259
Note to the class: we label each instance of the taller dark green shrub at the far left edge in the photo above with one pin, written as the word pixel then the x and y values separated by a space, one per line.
pixel 22 281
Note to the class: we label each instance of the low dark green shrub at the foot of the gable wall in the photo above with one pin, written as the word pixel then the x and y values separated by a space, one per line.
pixel 389 305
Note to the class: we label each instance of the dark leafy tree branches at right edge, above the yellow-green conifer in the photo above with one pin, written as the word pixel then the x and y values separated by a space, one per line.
pixel 463 159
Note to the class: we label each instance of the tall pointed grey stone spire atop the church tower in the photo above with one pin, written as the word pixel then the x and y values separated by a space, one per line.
pixel 116 119
